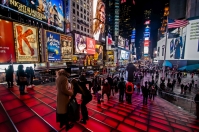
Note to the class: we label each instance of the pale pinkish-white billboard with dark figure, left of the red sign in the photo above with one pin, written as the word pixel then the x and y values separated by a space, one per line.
pixel 80 44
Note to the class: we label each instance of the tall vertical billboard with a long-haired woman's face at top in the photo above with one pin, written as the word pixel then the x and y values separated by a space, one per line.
pixel 99 20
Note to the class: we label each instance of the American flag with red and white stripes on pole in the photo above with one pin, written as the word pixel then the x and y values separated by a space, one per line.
pixel 177 23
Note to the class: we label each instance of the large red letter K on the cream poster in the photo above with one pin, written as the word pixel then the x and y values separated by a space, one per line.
pixel 23 36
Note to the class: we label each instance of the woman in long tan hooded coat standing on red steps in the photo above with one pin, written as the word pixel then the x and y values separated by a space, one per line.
pixel 63 95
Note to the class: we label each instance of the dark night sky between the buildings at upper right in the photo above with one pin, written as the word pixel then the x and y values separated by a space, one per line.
pixel 157 7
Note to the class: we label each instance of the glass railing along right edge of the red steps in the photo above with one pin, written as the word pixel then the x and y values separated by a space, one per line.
pixel 183 102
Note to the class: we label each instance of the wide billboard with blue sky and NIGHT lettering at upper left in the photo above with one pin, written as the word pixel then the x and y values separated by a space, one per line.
pixel 49 11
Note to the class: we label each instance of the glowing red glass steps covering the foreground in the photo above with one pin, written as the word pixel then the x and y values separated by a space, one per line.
pixel 36 111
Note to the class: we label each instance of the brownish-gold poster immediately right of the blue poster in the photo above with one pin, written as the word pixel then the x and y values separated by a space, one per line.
pixel 66 47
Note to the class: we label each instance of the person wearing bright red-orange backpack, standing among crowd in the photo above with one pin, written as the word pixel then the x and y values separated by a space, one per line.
pixel 129 91
